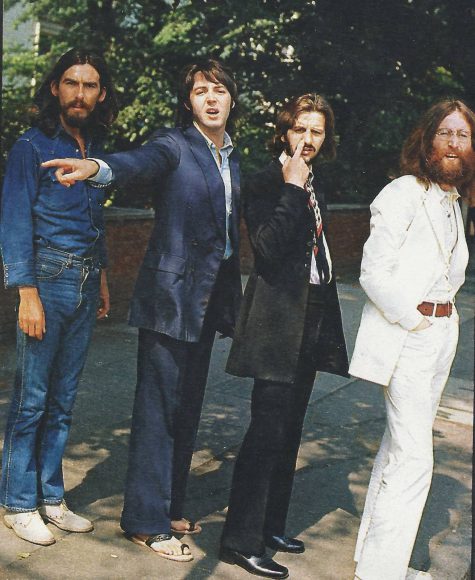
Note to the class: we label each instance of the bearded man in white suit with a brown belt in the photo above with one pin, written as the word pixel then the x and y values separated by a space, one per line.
pixel 413 264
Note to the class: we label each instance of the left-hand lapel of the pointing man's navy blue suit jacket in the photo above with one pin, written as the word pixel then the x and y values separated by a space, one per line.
pixel 210 170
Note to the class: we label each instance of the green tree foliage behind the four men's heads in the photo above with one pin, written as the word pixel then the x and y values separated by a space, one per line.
pixel 379 63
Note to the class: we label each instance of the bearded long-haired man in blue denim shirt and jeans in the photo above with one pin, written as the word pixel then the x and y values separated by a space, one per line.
pixel 53 251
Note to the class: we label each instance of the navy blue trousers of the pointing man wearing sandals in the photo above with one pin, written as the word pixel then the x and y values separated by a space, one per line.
pixel 171 380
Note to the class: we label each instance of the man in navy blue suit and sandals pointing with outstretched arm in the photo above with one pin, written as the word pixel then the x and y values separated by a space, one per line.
pixel 188 288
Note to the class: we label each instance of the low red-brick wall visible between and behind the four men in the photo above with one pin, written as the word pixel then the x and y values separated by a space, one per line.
pixel 128 231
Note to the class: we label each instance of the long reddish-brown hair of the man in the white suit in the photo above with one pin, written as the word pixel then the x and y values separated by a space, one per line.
pixel 418 146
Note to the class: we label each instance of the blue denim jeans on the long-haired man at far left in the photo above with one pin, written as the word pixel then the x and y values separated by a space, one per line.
pixel 46 381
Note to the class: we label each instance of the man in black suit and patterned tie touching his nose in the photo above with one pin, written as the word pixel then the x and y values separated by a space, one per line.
pixel 289 327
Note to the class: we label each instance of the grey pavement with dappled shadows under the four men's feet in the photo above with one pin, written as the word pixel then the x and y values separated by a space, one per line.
pixel 343 428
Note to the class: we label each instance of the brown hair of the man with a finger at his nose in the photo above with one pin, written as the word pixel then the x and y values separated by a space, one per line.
pixel 287 116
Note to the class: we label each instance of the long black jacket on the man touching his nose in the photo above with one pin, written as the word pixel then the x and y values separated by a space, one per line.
pixel 269 332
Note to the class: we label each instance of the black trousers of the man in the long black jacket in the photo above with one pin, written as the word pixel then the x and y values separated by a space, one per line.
pixel 264 471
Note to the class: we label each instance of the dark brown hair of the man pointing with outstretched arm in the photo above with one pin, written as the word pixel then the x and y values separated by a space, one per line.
pixel 214 71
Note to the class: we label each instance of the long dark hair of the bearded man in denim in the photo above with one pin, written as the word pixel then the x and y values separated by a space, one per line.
pixel 47 106
